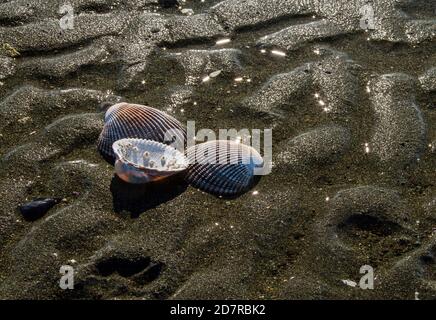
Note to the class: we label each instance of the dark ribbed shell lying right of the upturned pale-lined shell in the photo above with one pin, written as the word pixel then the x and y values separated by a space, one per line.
pixel 222 167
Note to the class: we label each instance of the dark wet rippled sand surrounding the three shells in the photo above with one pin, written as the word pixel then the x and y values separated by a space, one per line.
pixel 354 132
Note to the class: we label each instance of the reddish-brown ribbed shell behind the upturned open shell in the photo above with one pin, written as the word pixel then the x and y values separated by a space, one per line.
pixel 125 120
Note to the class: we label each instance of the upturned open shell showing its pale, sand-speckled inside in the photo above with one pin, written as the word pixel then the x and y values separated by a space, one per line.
pixel 142 161
